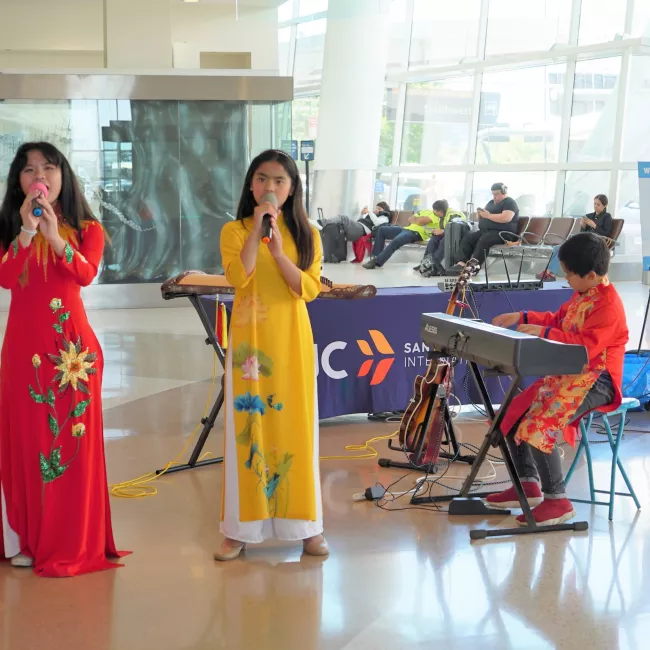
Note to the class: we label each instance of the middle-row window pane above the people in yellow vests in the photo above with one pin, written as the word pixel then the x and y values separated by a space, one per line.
pixel 437 122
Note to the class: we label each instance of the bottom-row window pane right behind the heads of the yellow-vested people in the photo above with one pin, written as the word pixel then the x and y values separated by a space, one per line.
pixel 418 190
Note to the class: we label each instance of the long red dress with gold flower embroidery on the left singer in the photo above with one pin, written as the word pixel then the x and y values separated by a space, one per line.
pixel 55 503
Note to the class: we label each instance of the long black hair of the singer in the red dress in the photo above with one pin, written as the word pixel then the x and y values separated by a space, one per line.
pixel 74 208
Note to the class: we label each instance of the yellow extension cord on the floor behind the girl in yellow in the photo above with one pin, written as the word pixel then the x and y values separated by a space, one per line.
pixel 140 487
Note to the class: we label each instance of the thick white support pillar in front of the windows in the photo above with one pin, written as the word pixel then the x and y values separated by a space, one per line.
pixel 352 92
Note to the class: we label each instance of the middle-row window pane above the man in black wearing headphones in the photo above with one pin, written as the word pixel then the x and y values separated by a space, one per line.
pixel 520 115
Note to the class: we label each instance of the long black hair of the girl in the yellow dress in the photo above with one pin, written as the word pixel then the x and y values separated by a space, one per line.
pixel 293 209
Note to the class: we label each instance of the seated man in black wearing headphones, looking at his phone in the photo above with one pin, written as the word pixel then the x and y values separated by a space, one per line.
pixel 499 215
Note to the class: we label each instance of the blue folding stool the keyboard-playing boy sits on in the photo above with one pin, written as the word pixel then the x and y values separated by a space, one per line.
pixel 614 443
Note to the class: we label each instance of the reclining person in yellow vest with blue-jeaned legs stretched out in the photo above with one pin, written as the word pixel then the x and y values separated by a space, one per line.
pixel 422 226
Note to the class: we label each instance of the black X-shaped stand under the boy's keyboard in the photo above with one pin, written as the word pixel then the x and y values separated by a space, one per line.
pixel 464 504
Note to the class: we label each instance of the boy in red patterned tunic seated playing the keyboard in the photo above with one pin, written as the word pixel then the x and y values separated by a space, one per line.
pixel 593 317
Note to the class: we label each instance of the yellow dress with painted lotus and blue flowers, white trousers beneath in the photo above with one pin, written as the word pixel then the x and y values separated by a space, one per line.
pixel 271 484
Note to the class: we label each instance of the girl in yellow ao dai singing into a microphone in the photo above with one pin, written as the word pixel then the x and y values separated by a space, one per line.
pixel 271 485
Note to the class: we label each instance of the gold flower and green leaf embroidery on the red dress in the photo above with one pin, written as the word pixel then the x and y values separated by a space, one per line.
pixel 73 365
